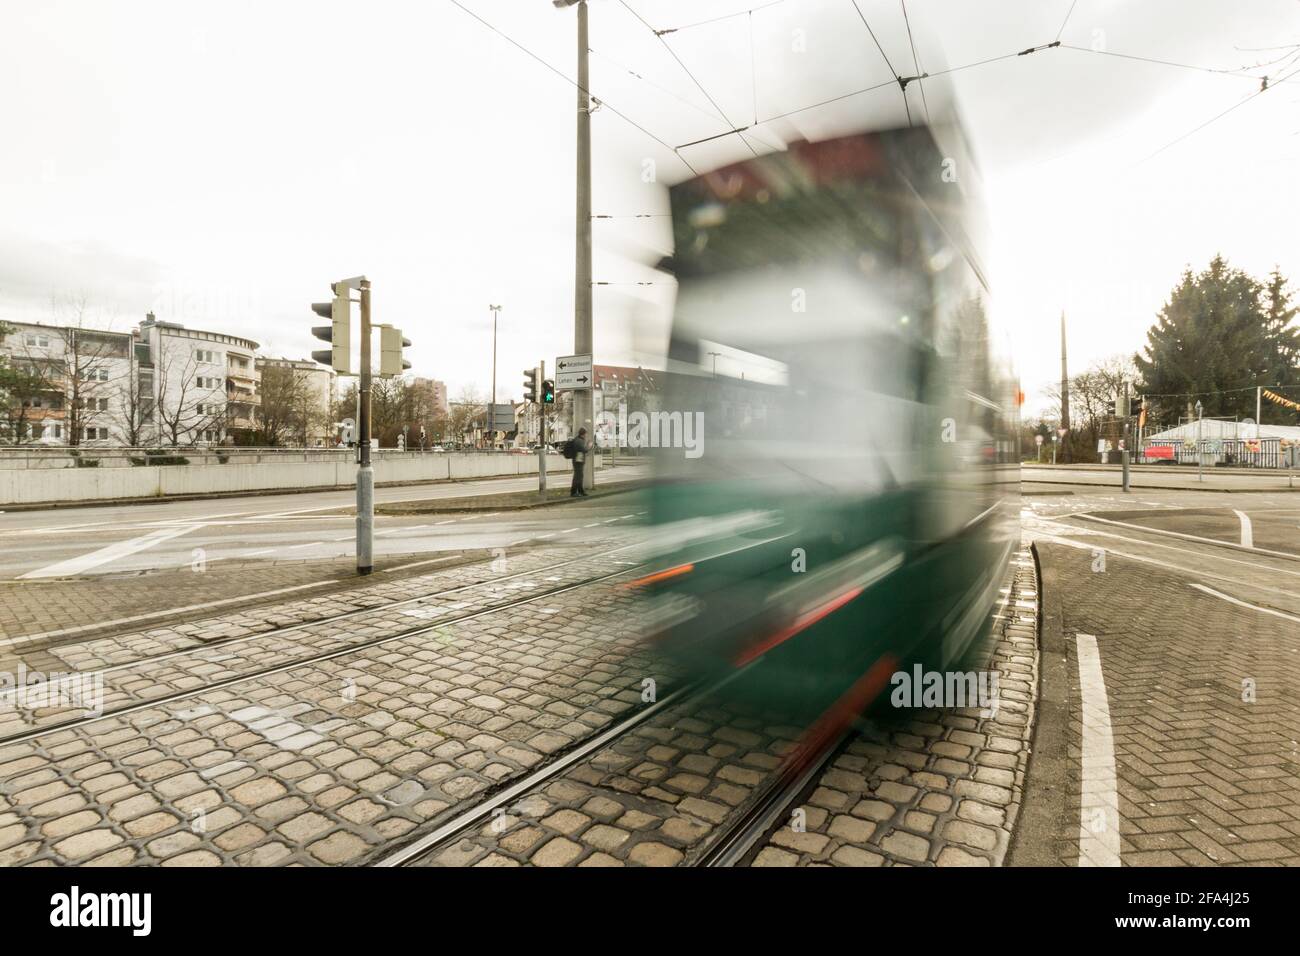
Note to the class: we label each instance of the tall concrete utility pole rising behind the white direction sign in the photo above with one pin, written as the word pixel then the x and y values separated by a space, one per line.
pixel 583 338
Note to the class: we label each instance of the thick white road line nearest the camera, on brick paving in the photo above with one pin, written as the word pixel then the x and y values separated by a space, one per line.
pixel 1099 801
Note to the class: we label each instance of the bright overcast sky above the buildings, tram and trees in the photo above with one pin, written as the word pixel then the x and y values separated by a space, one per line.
pixel 220 163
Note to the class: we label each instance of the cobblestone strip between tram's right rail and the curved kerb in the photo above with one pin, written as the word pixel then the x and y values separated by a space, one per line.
pixel 942 789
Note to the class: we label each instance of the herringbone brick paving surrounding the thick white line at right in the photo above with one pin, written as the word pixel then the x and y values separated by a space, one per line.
pixel 1202 698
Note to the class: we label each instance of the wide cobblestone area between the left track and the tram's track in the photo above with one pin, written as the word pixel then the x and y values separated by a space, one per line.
pixel 328 763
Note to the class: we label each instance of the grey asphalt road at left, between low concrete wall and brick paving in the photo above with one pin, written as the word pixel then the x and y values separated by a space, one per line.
pixel 75 543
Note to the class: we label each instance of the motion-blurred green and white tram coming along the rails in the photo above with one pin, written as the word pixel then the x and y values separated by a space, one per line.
pixel 853 501
